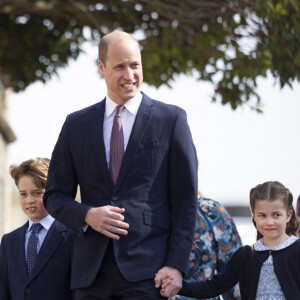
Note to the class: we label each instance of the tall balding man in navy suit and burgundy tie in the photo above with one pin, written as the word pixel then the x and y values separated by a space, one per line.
pixel 139 220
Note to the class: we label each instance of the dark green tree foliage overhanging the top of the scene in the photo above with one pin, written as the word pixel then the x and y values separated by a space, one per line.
pixel 230 43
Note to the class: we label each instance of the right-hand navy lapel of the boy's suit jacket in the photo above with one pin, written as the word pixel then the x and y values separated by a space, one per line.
pixel 51 242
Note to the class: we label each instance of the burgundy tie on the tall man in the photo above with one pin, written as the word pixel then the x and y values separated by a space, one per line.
pixel 116 145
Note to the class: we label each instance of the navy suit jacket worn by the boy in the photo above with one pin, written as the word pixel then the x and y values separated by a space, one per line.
pixel 50 278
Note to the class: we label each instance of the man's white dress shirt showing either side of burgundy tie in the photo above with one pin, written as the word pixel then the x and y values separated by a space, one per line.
pixel 128 116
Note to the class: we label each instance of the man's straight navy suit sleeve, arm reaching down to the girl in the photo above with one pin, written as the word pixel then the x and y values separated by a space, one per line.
pixel 183 185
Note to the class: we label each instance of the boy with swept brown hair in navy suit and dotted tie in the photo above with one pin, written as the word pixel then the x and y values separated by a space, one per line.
pixel 35 258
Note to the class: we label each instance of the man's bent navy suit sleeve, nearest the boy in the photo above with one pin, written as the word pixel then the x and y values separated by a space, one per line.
pixel 61 188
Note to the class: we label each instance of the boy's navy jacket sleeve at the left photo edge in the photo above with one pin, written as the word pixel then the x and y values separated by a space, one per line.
pixel 4 282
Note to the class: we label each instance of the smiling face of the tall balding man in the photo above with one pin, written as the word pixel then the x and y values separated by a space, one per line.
pixel 123 71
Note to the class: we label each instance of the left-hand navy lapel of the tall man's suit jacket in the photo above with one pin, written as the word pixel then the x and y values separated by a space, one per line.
pixel 96 127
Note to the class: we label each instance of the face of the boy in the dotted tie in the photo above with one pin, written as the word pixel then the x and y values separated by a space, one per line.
pixel 31 199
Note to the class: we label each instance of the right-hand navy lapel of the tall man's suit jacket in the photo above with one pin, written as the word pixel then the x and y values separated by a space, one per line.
pixel 140 126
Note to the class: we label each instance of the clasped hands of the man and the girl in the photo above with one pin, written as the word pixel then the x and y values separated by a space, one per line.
pixel 174 283
